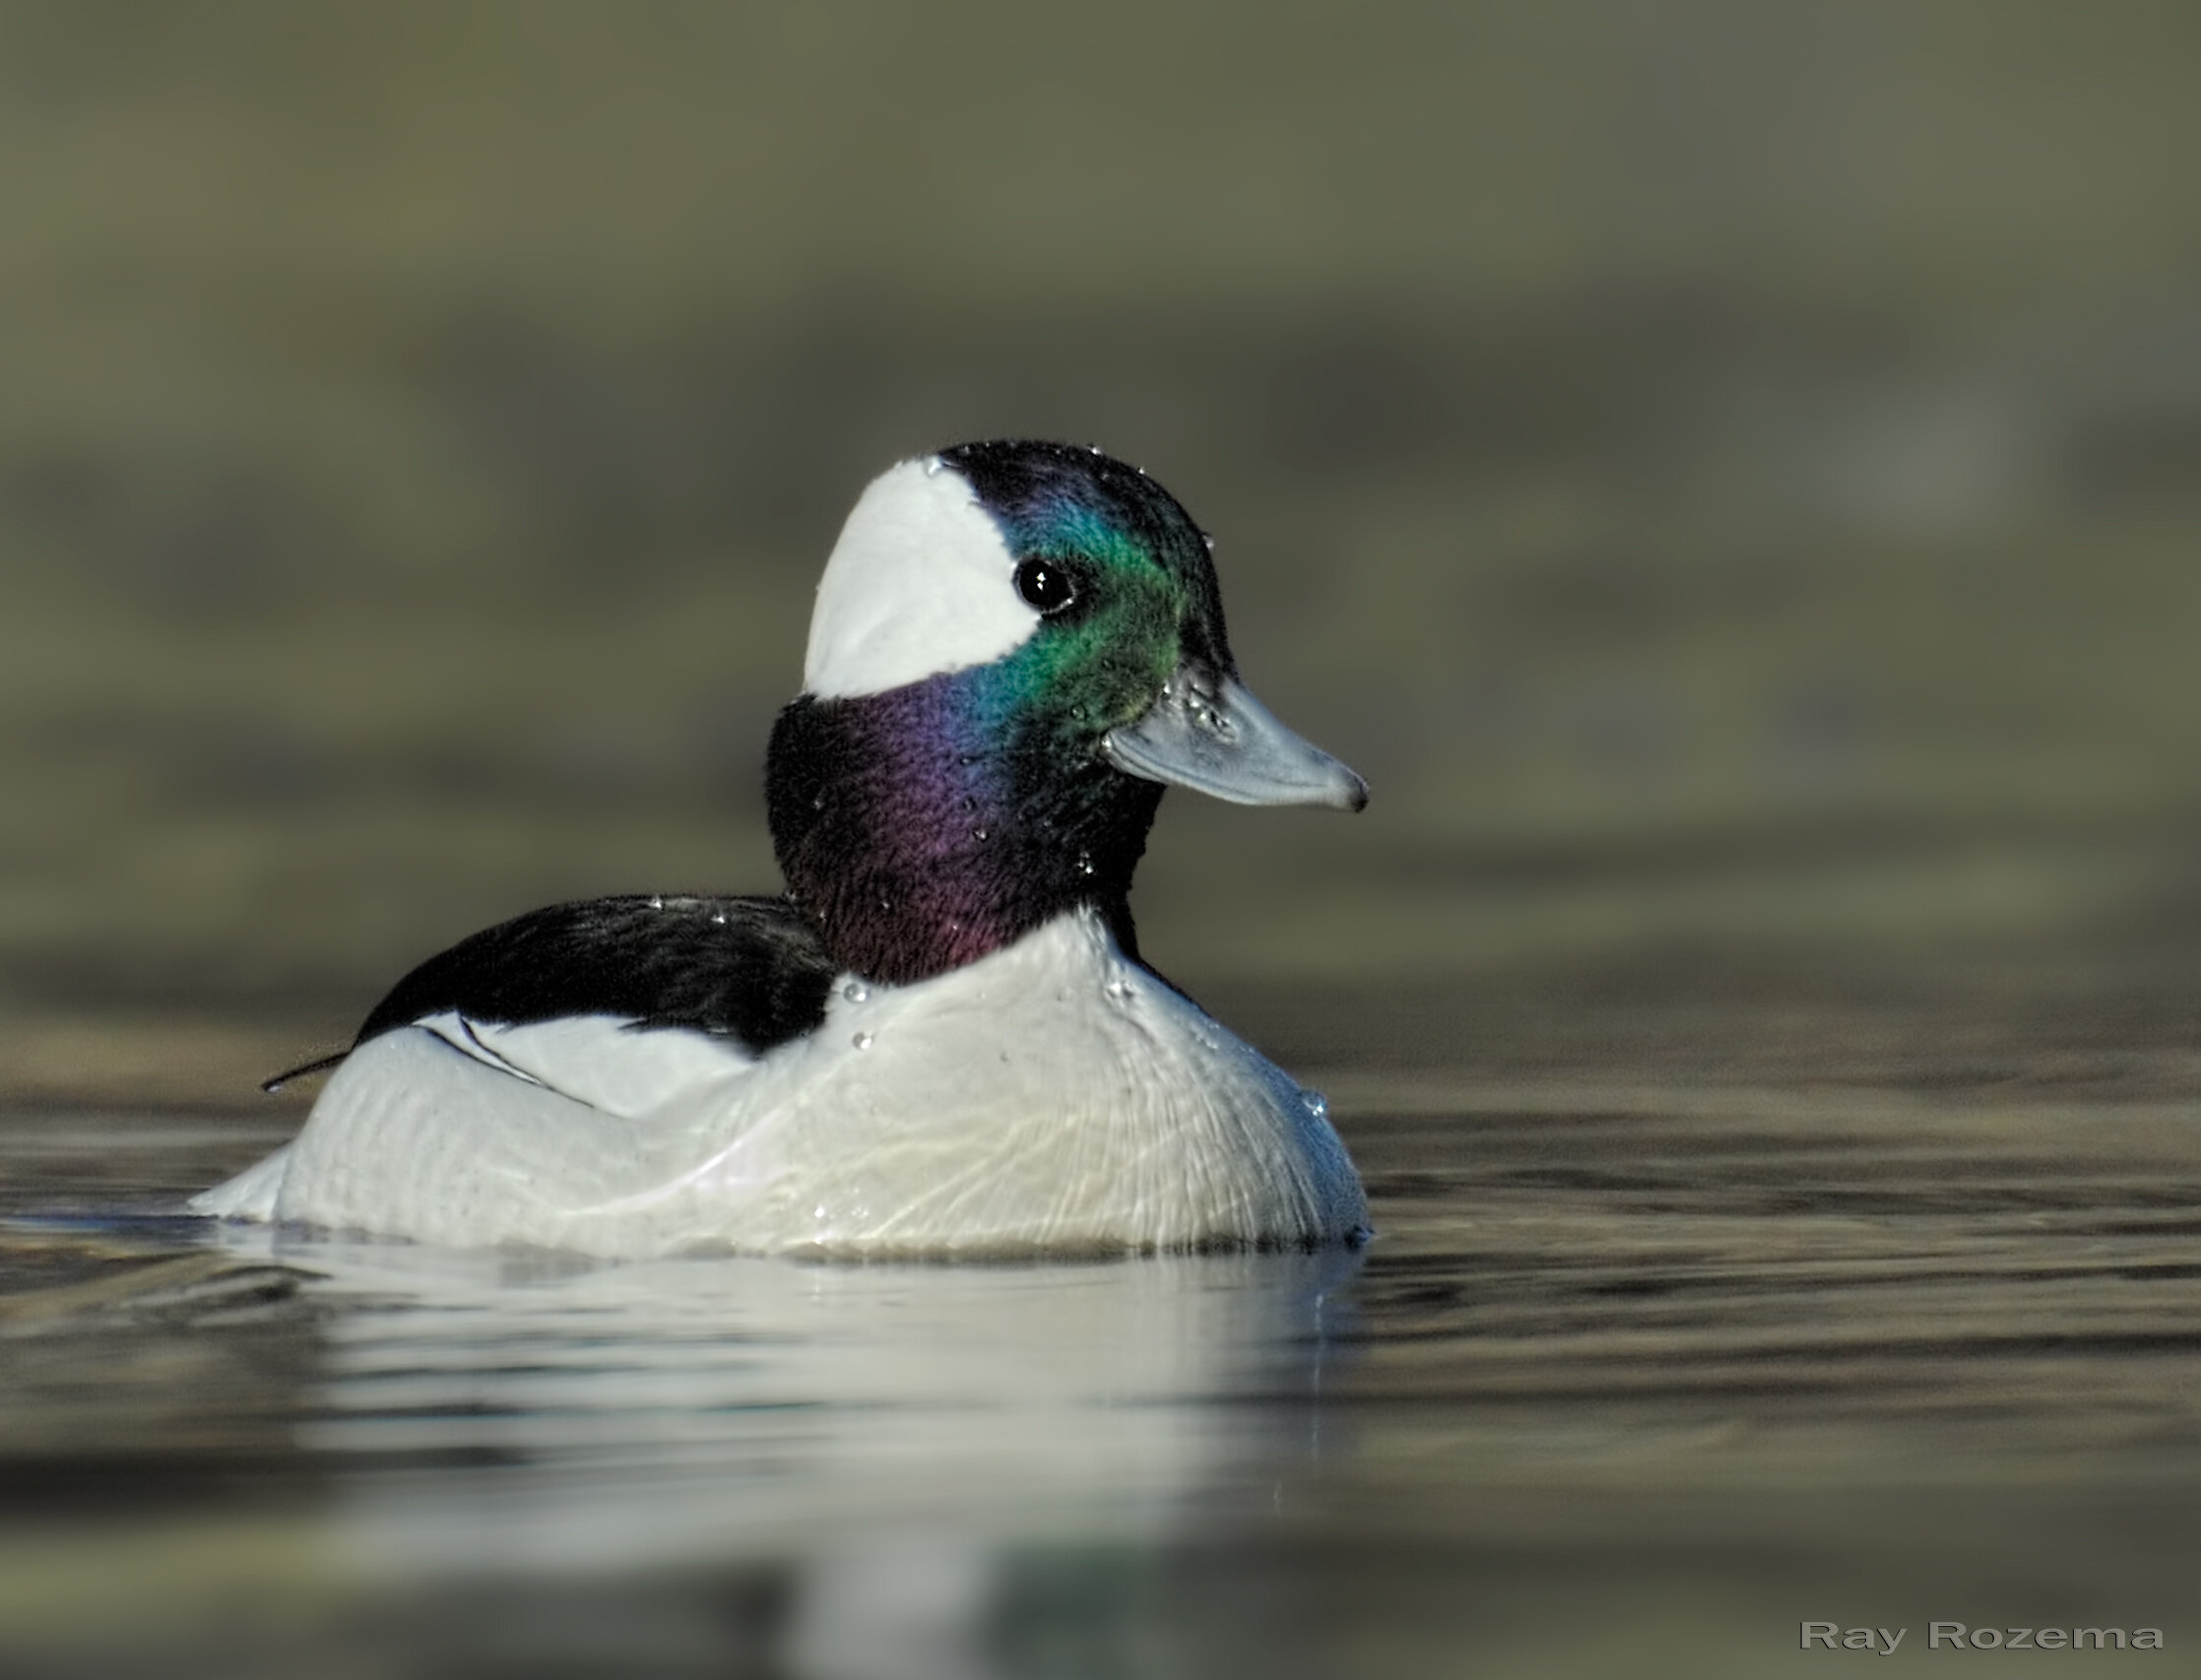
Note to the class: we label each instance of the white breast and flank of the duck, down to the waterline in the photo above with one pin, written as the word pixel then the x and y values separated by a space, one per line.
pixel 1051 1098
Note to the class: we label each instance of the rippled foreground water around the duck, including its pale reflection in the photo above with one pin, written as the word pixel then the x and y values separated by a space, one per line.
pixel 1641 1375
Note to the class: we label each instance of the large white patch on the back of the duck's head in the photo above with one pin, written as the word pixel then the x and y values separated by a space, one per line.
pixel 919 585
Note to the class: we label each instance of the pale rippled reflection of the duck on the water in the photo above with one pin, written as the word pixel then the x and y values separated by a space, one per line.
pixel 895 1437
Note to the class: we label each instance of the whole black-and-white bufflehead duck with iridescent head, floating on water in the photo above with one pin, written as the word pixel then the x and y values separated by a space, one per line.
pixel 943 1038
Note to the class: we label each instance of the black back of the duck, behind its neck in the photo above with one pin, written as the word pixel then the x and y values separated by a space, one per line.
pixel 749 970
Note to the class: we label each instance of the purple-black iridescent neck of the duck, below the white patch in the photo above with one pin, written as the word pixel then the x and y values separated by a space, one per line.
pixel 932 825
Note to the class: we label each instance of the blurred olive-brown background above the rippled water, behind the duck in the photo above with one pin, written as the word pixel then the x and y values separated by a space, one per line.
pixel 1724 472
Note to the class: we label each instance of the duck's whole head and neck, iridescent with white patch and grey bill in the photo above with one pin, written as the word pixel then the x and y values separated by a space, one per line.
pixel 1016 648
